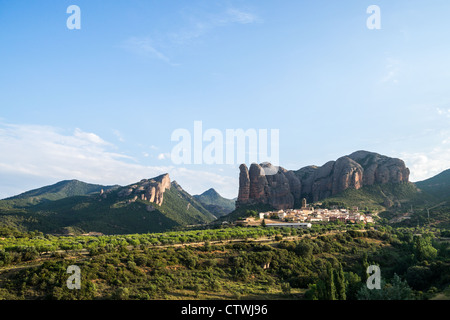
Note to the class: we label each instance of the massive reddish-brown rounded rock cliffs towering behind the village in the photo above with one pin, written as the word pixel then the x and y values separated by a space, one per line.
pixel 284 189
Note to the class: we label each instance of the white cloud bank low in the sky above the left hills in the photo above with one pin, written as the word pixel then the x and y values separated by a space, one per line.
pixel 33 156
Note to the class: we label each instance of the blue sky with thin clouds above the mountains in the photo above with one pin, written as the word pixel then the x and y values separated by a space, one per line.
pixel 99 104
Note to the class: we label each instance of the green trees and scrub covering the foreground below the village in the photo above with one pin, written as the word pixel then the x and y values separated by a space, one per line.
pixel 227 263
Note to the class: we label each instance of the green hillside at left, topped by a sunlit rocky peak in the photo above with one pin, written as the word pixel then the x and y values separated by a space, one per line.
pixel 116 211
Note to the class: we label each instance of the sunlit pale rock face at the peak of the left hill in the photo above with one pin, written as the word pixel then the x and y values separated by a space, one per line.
pixel 151 190
